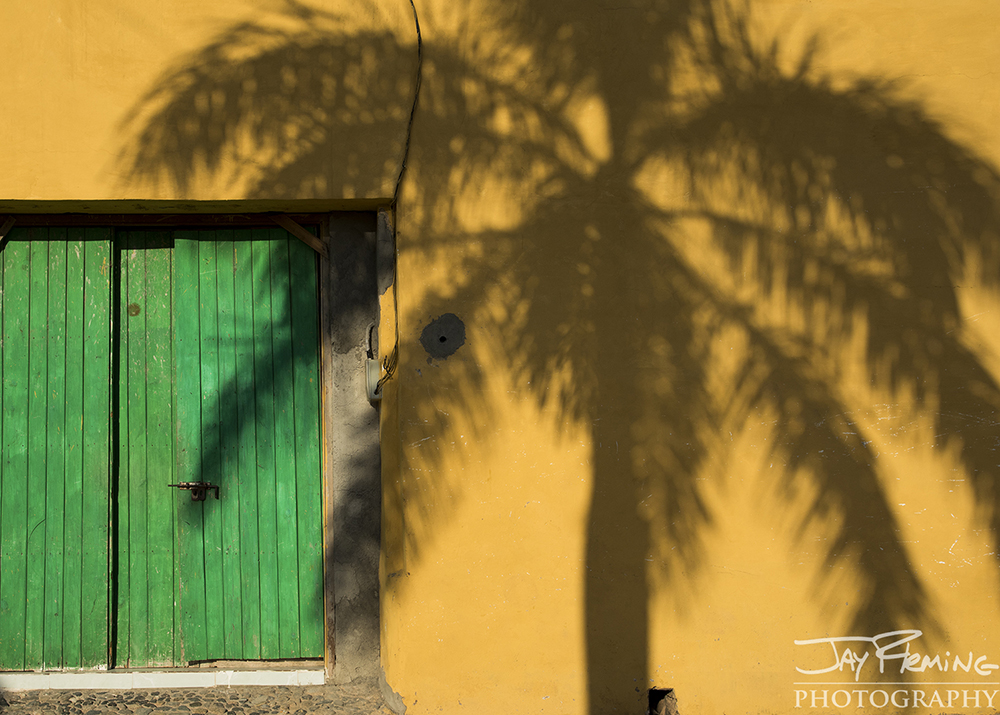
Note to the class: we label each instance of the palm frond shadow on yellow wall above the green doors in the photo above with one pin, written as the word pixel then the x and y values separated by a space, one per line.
pixel 271 106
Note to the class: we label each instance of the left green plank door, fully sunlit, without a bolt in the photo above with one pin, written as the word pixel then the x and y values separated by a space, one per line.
pixel 55 394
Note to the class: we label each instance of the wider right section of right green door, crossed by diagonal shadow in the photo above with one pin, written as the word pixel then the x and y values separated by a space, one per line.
pixel 247 415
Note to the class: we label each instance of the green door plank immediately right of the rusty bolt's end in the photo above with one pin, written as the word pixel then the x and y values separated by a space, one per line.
pixel 231 386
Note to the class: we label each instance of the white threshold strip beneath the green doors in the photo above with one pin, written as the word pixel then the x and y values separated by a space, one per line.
pixel 137 679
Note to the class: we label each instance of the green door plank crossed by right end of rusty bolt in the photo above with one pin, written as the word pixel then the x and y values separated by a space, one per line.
pixel 211 457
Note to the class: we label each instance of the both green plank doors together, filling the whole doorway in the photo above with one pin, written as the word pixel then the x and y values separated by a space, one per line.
pixel 131 362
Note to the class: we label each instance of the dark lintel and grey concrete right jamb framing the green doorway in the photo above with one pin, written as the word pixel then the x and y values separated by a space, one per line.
pixel 351 274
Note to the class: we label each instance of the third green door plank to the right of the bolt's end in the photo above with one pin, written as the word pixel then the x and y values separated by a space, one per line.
pixel 264 387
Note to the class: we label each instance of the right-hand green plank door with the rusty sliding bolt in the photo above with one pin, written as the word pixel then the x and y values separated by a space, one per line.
pixel 239 577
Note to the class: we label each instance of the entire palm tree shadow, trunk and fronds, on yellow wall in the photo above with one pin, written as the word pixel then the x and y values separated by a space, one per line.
pixel 837 211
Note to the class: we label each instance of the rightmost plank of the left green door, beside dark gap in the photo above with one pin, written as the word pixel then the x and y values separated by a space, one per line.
pixel 96 446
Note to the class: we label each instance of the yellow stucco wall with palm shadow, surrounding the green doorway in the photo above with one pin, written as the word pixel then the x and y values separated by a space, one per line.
pixel 728 287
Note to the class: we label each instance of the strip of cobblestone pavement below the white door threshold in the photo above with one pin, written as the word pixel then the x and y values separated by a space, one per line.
pixel 243 700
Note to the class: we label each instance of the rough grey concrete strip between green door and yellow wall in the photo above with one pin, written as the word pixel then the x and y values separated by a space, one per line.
pixel 354 469
